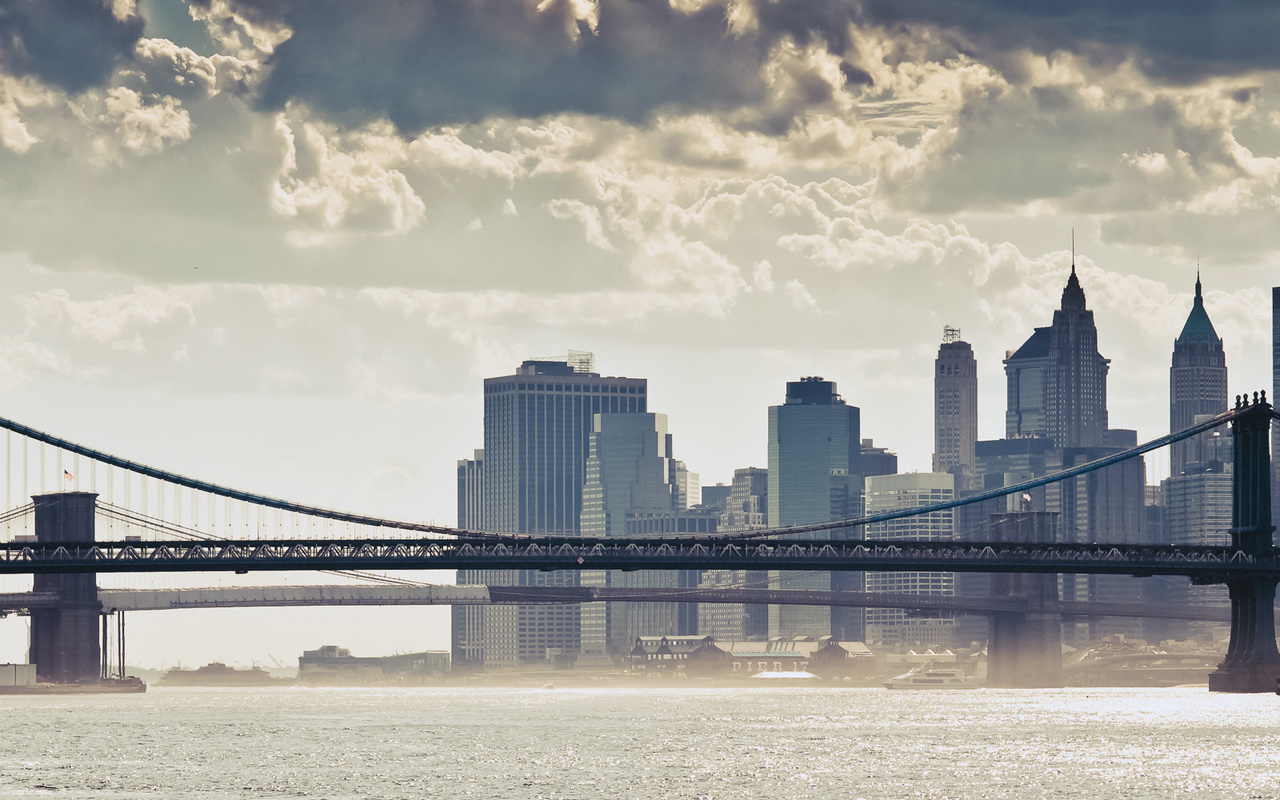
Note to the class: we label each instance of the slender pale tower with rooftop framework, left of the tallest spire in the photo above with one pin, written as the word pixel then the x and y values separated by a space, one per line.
pixel 956 408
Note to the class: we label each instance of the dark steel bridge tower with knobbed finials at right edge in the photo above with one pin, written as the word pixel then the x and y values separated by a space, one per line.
pixel 1252 662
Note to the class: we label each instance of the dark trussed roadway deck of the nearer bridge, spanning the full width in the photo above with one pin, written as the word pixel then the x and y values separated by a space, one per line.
pixel 1201 564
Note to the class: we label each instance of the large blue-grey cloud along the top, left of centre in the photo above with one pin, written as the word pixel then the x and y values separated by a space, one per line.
pixel 444 62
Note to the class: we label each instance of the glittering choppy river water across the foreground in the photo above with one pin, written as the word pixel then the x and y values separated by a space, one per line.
pixel 644 744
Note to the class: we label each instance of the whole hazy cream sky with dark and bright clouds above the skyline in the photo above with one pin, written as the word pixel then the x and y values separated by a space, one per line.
pixel 278 244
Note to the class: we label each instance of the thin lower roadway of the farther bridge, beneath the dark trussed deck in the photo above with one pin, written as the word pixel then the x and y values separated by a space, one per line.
pixel 278 597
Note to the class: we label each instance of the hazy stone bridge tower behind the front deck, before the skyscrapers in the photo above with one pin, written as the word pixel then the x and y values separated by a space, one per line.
pixel 1025 650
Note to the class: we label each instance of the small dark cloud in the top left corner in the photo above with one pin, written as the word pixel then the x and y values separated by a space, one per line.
pixel 71 44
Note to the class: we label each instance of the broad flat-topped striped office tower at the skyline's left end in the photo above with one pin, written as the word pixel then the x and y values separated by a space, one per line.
pixel 529 479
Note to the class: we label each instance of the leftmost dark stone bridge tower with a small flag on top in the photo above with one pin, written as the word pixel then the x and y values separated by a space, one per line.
pixel 65 639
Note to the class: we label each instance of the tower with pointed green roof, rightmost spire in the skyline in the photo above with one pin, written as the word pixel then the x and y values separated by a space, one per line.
pixel 1197 383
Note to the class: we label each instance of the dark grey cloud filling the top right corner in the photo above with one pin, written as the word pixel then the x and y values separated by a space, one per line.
pixel 1178 42
